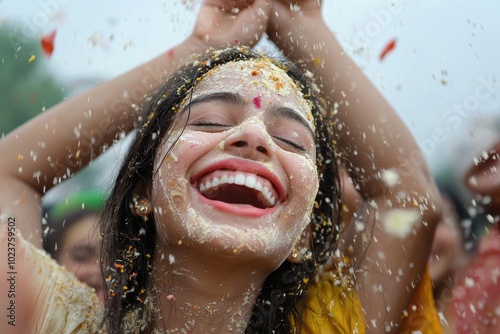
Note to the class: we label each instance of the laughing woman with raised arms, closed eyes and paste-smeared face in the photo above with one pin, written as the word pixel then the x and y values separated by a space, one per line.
pixel 228 203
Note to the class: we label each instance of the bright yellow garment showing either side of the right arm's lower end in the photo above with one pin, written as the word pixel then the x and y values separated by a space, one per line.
pixel 333 306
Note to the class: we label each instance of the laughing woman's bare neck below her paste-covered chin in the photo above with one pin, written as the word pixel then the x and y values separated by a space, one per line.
pixel 202 294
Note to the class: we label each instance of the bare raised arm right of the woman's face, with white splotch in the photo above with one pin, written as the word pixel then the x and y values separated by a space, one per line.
pixel 382 158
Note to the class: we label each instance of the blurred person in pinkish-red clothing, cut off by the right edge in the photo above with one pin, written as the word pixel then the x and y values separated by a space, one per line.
pixel 477 298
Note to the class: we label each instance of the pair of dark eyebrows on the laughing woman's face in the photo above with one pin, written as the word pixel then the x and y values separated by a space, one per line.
pixel 238 100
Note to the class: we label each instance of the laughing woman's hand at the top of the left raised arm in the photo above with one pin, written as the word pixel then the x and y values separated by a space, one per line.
pixel 227 22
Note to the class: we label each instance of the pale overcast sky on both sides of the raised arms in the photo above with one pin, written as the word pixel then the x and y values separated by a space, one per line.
pixel 441 77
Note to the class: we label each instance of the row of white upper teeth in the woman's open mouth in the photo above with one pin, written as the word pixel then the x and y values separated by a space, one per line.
pixel 248 180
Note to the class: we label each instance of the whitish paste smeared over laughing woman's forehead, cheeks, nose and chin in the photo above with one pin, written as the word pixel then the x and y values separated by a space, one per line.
pixel 273 235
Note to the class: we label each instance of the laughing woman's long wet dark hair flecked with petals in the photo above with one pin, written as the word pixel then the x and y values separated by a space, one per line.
pixel 129 243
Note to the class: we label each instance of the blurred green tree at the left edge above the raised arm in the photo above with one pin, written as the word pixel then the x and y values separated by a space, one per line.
pixel 26 87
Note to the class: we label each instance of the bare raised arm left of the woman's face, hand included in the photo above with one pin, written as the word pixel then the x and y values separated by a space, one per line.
pixel 62 140
